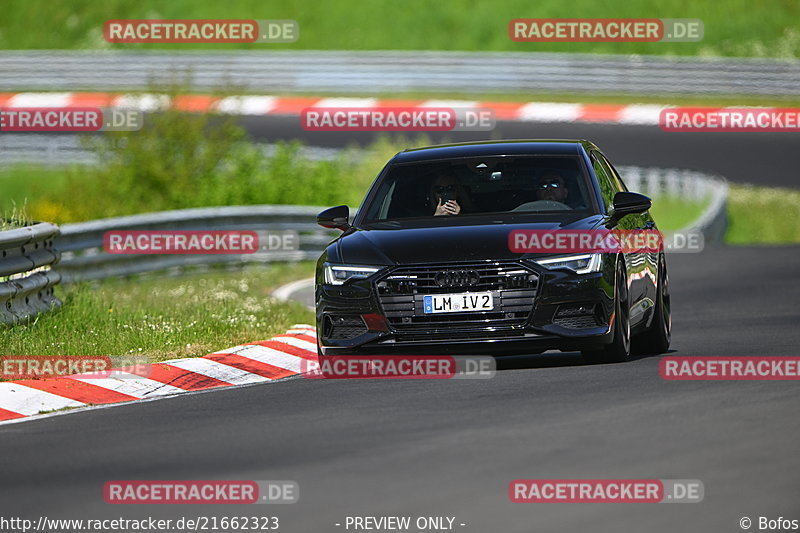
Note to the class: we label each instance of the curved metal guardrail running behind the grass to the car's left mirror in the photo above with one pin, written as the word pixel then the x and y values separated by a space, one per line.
pixel 83 257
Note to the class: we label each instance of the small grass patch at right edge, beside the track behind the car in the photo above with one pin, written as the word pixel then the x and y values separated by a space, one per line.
pixel 763 215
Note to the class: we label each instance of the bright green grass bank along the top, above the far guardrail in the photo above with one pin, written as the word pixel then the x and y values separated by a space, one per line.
pixel 768 28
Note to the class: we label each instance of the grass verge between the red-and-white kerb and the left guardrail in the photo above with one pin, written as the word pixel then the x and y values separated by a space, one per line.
pixel 164 318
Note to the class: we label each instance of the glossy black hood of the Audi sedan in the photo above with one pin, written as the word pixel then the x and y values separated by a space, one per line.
pixel 438 244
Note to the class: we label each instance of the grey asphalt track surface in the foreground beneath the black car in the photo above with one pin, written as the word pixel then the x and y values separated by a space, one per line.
pixel 450 448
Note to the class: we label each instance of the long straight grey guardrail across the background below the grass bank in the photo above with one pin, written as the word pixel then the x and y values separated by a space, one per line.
pixel 397 71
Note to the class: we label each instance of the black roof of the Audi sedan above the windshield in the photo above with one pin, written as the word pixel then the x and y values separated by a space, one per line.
pixel 495 148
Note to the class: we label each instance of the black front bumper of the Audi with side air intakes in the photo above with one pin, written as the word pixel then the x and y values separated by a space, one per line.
pixel 559 310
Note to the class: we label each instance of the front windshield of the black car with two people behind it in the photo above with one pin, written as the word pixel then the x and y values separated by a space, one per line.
pixel 480 186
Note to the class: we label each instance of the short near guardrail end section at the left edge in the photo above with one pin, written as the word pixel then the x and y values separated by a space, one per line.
pixel 26 279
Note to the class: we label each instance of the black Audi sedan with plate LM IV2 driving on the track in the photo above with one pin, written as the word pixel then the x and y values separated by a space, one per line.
pixel 426 265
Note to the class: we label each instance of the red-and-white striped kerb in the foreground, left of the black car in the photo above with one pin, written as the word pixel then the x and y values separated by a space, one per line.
pixel 280 357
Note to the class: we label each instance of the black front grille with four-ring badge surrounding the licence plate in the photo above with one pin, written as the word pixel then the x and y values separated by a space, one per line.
pixel 513 287
